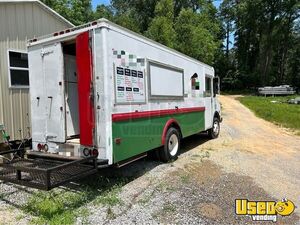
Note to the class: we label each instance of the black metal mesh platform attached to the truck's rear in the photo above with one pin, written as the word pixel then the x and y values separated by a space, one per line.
pixel 46 173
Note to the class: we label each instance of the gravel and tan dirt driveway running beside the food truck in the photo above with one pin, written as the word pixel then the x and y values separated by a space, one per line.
pixel 252 159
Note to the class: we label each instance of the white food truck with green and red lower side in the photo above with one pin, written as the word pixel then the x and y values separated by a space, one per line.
pixel 100 90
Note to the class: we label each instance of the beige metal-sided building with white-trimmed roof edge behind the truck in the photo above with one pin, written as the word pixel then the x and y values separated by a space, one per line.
pixel 20 21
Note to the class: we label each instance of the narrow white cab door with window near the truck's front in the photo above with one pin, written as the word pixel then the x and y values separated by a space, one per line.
pixel 208 96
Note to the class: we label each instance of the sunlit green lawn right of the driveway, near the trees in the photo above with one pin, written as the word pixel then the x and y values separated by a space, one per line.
pixel 280 113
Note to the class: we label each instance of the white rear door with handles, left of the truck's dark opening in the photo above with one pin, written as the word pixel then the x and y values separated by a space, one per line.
pixel 53 70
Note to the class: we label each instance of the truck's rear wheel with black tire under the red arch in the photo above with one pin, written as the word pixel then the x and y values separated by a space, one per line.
pixel 171 147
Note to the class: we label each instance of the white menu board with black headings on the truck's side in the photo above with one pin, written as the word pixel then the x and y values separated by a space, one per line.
pixel 129 85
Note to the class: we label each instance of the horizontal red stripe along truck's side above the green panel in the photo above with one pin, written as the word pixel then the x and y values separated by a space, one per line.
pixel 155 113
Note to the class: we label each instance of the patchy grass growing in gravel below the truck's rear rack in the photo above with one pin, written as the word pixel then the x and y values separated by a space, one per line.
pixel 63 206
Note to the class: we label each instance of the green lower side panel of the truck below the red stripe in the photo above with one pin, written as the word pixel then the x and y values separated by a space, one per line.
pixel 137 136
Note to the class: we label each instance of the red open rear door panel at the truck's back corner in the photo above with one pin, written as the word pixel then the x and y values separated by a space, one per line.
pixel 85 89
